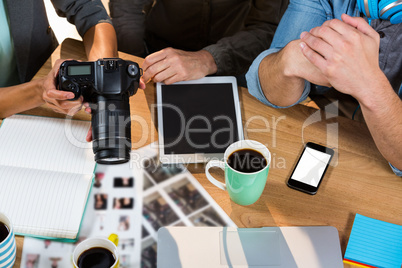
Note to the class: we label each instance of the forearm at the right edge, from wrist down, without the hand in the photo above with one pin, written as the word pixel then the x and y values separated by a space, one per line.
pixel 382 112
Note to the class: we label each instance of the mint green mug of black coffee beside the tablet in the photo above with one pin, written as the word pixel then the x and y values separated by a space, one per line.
pixel 246 165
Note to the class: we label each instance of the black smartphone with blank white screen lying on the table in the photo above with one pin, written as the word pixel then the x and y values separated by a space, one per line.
pixel 310 168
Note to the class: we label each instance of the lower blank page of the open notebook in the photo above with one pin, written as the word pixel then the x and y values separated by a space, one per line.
pixel 44 203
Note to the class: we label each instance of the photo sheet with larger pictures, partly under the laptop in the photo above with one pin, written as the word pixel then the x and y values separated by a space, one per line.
pixel 172 197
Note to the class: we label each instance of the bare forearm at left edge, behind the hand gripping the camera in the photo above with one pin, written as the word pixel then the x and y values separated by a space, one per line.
pixel 20 98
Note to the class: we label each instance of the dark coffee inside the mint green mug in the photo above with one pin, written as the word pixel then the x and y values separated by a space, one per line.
pixel 247 161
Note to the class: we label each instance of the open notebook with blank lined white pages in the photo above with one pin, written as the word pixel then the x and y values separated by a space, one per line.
pixel 46 174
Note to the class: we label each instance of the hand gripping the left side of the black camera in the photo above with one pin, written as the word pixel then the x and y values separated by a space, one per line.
pixel 58 100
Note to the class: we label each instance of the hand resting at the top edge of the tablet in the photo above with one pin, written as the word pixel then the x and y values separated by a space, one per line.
pixel 173 65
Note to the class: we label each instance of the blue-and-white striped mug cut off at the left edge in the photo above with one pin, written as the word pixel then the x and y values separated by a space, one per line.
pixel 8 247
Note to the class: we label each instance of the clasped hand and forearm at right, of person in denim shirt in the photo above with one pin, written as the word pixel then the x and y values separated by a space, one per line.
pixel 347 54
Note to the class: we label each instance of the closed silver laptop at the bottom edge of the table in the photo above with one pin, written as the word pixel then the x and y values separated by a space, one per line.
pixel 210 247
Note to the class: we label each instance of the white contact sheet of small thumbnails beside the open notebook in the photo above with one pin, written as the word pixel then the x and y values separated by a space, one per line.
pixel 114 206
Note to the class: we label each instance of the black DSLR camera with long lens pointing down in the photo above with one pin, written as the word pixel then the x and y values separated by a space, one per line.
pixel 106 84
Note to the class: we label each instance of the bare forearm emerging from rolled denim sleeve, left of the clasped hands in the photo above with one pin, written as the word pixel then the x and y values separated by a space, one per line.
pixel 278 80
